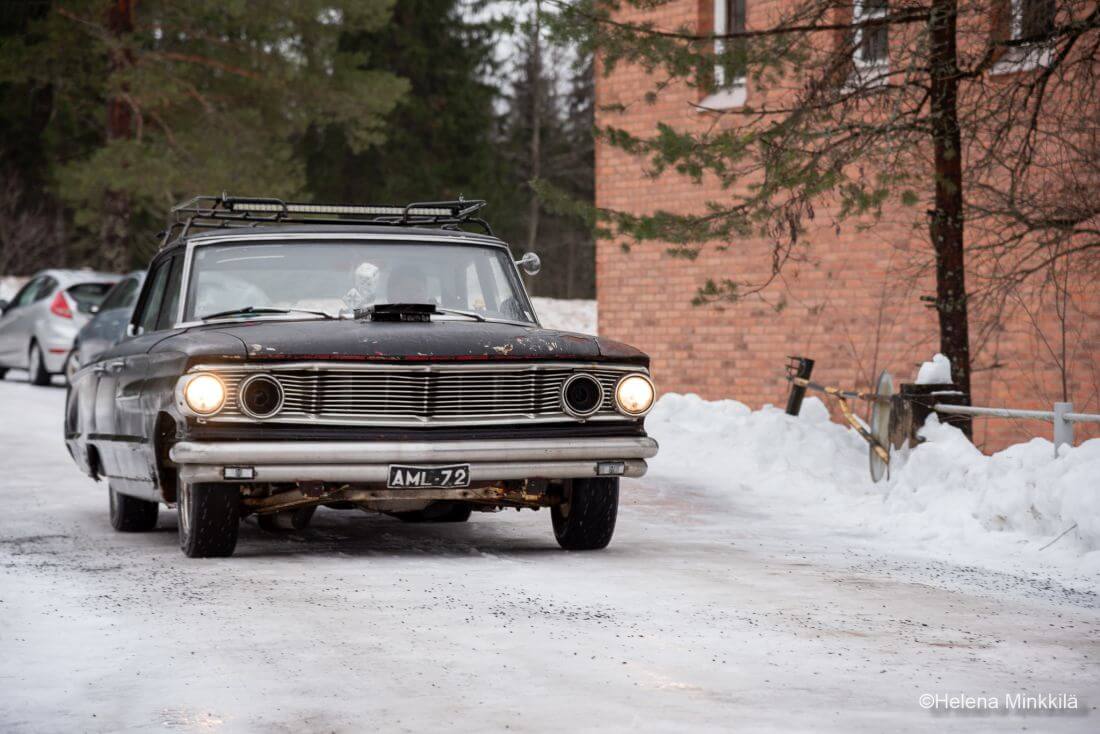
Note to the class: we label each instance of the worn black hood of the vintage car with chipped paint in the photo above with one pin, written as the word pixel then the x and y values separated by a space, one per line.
pixel 437 341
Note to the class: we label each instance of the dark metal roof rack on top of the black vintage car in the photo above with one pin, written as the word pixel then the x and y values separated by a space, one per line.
pixel 229 212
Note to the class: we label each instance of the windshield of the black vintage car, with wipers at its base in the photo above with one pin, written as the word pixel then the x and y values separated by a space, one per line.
pixel 339 279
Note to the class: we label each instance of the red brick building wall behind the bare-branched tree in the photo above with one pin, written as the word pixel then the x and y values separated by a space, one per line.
pixel 852 304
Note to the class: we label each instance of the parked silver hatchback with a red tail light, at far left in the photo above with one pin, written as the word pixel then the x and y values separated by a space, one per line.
pixel 40 324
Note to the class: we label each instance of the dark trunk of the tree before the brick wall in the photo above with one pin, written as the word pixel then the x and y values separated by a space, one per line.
pixel 947 225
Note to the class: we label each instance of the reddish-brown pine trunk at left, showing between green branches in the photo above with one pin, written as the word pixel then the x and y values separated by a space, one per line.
pixel 115 229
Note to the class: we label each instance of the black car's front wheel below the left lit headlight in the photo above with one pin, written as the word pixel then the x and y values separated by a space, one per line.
pixel 210 519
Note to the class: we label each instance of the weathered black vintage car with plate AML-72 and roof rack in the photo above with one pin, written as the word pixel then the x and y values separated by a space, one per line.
pixel 282 357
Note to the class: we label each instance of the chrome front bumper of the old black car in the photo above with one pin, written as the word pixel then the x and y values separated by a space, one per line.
pixel 369 462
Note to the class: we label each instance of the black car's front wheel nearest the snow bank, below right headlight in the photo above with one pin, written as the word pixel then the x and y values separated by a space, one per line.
pixel 585 520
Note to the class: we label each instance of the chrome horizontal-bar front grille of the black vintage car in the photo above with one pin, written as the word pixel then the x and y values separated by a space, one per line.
pixel 448 395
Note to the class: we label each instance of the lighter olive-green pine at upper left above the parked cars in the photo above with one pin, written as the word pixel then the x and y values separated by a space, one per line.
pixel 158 101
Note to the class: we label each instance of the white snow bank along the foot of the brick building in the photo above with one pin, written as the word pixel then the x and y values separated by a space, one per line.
pixel 943 498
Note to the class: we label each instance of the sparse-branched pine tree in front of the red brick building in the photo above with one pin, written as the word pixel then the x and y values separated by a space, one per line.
pixel 988 123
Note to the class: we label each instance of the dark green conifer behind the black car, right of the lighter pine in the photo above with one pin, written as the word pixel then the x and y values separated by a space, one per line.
pixel 439 143
